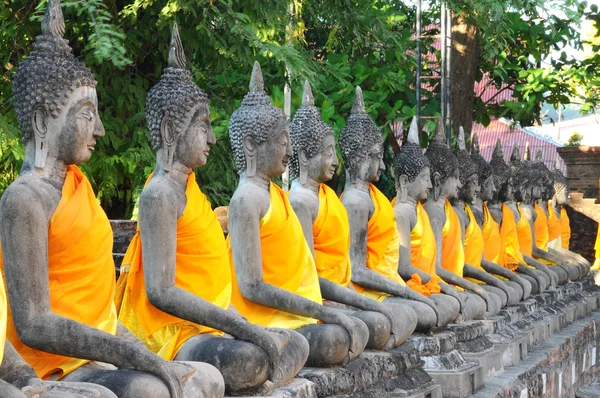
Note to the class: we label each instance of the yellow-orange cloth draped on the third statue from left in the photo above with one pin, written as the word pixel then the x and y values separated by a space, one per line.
pixel 287 263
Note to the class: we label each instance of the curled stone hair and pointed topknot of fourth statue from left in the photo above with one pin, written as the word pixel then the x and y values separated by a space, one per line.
pixel 307 130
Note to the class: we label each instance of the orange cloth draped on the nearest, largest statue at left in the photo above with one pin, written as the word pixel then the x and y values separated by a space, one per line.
pixel 81 271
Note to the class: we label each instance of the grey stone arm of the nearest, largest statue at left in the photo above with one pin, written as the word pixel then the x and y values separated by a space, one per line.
pixel 29 294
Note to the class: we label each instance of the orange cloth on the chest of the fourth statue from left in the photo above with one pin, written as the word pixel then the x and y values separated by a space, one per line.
pixel 331 237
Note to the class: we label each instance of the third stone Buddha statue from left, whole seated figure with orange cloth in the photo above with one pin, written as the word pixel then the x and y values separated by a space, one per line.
pixel 274 278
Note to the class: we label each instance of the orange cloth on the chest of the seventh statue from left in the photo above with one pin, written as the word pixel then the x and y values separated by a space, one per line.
pixel 453 254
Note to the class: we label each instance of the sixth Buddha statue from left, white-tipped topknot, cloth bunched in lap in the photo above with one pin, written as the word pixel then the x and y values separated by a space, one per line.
pixel 417 242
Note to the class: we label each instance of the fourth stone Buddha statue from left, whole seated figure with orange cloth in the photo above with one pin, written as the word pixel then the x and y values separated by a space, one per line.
pixel 325 225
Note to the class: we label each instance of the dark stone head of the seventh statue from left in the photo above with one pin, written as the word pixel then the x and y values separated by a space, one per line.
pixel 444 166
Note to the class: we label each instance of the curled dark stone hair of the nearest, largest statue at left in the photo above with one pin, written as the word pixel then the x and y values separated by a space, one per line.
pixel 49 75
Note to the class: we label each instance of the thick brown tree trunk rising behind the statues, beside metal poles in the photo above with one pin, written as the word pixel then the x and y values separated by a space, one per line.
pixel 465 57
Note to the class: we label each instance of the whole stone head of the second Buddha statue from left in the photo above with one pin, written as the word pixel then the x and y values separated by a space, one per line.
pixel 177 114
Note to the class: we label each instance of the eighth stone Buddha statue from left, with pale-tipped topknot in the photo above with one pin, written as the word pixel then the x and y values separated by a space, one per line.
pixel 476 267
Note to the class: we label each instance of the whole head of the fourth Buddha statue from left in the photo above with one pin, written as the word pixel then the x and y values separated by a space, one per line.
pixel 314 156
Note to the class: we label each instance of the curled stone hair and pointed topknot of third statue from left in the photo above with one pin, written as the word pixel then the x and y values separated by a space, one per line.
pixel 257 117
